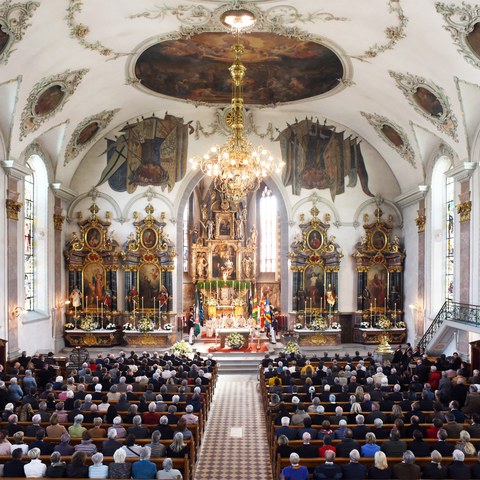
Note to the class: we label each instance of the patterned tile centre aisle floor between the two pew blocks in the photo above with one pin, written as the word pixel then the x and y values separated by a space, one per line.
pixel 234 446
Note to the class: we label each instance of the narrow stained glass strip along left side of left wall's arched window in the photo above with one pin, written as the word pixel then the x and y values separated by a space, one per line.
pixel 29 243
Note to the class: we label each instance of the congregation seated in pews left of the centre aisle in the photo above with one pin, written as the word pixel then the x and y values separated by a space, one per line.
pixel 126 409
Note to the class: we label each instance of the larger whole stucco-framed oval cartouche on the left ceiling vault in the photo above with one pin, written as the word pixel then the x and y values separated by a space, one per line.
pixel 47 98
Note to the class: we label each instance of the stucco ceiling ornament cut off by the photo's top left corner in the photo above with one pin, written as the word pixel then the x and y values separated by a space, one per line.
pixel 13 23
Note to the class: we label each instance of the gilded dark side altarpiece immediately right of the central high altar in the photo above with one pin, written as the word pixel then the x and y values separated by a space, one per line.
pixel 315 262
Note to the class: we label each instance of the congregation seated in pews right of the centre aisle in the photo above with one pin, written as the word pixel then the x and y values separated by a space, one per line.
pixel 355 417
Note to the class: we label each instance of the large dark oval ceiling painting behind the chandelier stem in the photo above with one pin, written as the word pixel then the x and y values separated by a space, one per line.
pixel 279 69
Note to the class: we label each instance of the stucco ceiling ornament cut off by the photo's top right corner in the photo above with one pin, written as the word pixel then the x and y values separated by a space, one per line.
pixel 463 23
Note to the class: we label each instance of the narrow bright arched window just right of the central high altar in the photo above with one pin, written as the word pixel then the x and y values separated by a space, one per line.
pixel 268 232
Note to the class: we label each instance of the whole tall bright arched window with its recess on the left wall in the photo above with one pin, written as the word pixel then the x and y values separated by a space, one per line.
pixel 35 251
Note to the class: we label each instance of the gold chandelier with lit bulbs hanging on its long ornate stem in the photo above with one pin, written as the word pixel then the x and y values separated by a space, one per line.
pixel 237 167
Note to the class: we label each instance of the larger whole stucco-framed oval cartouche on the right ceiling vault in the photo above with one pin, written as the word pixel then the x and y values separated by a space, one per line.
pixel 429 100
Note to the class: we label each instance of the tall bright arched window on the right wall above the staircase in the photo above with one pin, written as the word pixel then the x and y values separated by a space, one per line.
pixel 442 234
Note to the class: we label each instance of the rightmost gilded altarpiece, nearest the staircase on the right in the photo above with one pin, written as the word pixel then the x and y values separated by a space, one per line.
pixel 379 262
